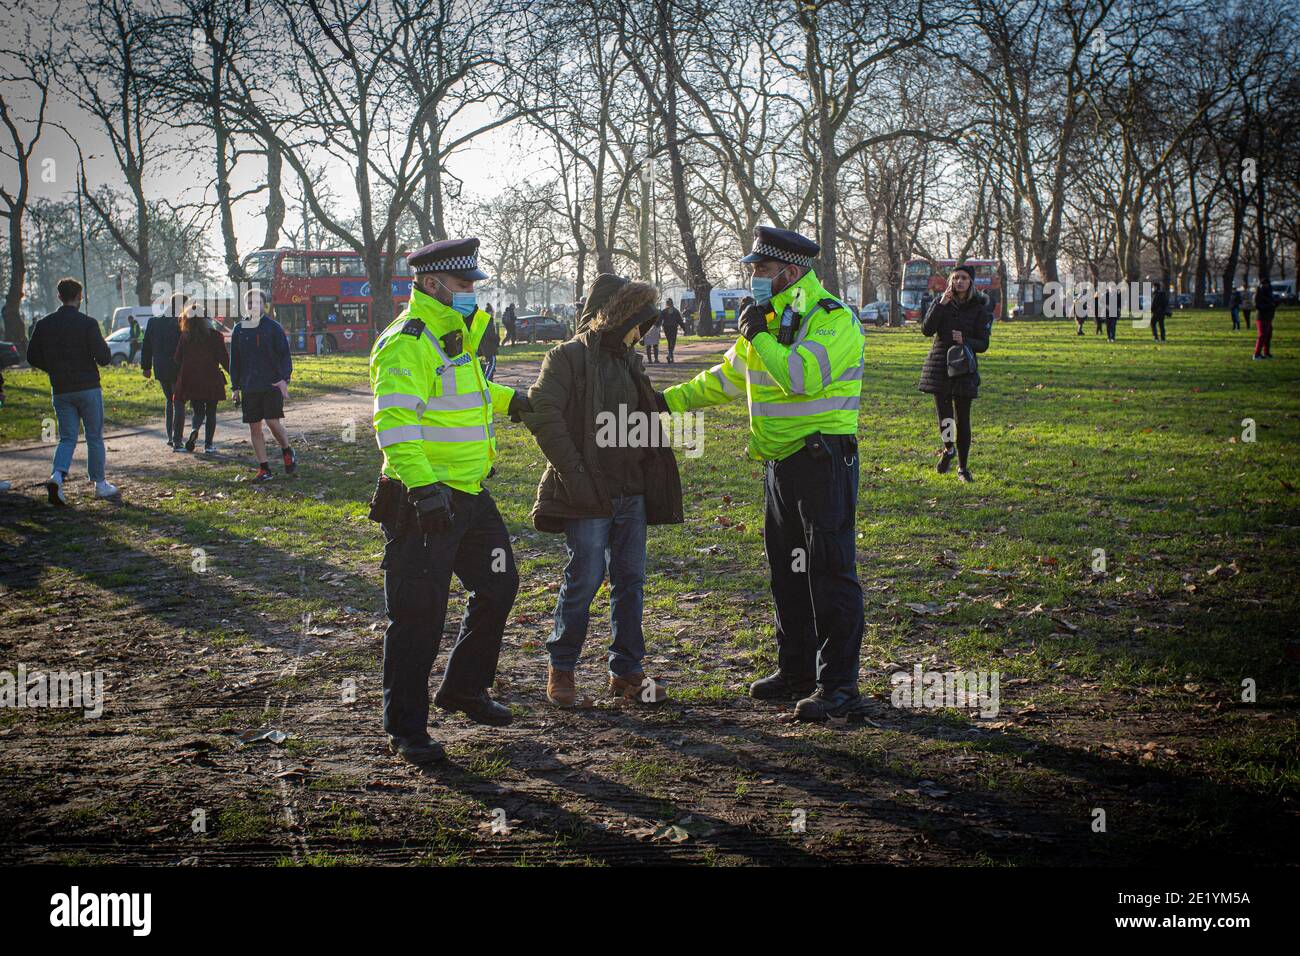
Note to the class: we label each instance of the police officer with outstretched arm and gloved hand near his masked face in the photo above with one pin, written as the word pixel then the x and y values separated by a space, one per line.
pixel 799 365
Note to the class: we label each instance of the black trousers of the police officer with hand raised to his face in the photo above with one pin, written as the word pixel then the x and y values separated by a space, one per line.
pixel 812 501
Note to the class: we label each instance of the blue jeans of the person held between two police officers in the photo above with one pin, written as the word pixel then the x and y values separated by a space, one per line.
pixel 596 546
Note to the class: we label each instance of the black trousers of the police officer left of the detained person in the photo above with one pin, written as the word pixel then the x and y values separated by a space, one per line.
pixel 417 583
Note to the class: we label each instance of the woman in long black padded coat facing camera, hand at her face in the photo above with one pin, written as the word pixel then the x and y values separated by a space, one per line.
pixel 959 318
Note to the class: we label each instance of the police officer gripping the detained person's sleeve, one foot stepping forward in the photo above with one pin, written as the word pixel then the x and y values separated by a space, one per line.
pixel 434 421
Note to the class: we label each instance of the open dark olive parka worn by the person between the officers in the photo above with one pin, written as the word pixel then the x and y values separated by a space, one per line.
pixel 566 400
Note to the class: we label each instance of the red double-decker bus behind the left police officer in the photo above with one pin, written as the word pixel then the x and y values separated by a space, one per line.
pixel 323 299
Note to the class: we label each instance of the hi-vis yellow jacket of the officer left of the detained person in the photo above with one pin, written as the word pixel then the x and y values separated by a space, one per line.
pixel 434 413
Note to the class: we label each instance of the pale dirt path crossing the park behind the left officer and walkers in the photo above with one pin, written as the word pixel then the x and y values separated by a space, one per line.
pixel 133 451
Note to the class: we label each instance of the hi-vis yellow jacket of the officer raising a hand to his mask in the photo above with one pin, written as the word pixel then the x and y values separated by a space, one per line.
pixel 813 386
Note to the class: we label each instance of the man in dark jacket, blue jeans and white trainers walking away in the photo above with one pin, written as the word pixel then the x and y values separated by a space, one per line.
pixel 70 348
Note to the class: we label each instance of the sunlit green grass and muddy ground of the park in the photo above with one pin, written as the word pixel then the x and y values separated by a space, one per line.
pixel 1121 689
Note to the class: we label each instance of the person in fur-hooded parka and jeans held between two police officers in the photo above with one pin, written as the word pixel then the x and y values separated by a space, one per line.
pixel 610 474
